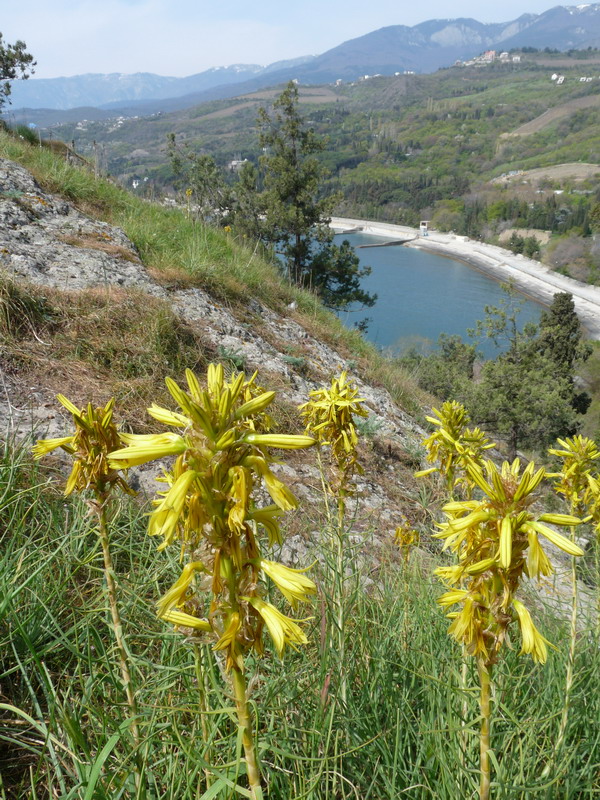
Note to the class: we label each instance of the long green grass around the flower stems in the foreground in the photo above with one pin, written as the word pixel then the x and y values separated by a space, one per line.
pixel 63 729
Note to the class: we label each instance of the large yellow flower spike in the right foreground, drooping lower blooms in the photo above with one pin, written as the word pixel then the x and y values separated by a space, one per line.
pixel 497 541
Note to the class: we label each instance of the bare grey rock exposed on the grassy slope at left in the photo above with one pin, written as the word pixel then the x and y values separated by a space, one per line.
pixel 45 240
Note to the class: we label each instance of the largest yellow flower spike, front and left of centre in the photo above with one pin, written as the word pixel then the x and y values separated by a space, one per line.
pixel 222 453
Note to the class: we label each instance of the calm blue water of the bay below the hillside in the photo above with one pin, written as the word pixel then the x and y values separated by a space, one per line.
pixel 421 295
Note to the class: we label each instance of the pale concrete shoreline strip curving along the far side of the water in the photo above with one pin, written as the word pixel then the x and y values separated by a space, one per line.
pixel 529 277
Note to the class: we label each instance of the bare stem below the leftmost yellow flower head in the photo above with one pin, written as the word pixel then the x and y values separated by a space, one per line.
pixel 109 573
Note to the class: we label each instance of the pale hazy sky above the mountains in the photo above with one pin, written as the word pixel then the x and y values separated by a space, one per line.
pixel 183 37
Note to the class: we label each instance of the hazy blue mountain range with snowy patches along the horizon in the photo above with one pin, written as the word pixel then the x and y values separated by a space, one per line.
pixel 422 48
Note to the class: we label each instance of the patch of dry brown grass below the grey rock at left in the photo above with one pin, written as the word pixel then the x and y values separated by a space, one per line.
pixel 92 345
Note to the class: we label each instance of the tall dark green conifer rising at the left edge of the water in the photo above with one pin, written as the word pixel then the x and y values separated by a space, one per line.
pixel 296 216
